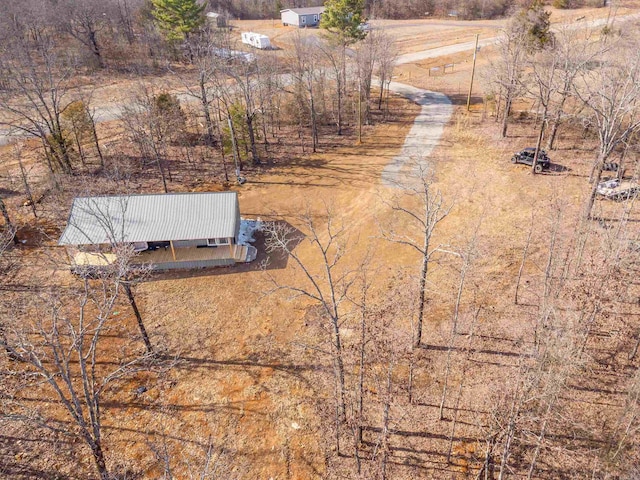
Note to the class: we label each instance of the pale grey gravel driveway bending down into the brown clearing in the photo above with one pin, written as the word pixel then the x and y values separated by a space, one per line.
pixel 425 133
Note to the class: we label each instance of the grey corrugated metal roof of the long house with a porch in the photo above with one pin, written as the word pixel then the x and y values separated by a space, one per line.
pixel 151 218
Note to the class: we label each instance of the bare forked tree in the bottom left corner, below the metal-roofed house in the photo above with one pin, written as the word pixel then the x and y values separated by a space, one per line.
pixel 61 346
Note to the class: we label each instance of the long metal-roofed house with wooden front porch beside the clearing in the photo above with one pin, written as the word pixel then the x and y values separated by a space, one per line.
pixel 178 230
